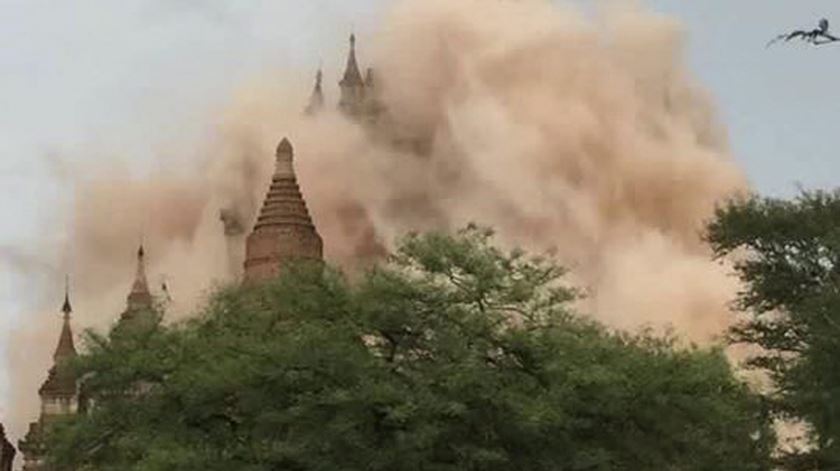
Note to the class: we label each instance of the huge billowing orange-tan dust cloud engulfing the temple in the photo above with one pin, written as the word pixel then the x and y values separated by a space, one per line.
pixel 583 136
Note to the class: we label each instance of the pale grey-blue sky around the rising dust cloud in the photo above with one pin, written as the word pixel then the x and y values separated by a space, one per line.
pixel 97 79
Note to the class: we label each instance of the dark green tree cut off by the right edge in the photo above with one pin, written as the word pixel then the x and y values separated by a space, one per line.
pixel 787 253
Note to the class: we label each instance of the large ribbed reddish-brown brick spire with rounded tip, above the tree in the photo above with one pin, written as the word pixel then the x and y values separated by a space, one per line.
pixel 284 230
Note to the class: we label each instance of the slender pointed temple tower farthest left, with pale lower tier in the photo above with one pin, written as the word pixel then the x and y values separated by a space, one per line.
pixel 59 394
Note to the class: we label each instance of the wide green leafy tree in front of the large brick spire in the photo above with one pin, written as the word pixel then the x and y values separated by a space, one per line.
pixel 453 355
